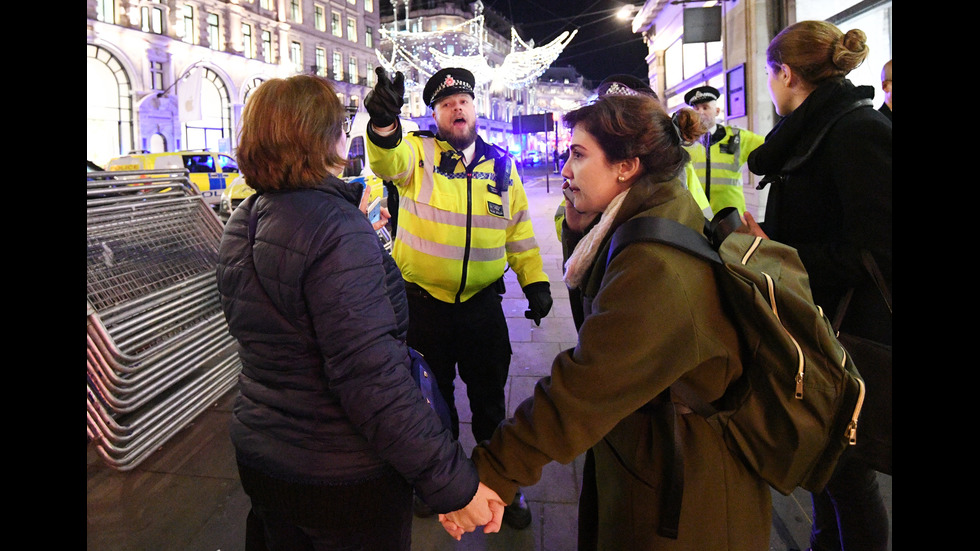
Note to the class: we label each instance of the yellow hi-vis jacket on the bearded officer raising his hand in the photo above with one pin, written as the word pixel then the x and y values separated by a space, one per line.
pixel 458 227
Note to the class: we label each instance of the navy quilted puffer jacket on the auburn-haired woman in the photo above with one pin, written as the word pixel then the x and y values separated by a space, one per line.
pixel 319 311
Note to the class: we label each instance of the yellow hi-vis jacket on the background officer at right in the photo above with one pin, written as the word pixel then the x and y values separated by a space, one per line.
pixel 720 167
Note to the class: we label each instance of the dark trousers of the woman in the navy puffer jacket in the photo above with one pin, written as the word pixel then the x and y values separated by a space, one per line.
pixel 370 516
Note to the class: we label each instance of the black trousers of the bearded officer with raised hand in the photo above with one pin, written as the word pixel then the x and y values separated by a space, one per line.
pixel 471 336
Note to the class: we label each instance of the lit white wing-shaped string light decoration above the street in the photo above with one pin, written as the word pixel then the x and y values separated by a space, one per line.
pixel 423 53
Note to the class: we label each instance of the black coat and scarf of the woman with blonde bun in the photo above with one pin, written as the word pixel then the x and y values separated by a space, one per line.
pixel 837 202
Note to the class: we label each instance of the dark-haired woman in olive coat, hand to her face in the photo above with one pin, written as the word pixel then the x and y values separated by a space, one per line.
pixel 653 316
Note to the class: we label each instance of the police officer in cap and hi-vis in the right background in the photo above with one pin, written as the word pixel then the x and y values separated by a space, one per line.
pixel 718 159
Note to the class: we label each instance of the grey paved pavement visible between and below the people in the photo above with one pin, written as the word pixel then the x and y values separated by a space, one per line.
pixel 186 496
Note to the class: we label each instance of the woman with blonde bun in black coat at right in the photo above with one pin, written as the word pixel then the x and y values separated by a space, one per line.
pixel 829 162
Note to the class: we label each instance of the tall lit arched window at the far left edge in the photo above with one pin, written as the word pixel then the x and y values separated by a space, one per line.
pixel 110 107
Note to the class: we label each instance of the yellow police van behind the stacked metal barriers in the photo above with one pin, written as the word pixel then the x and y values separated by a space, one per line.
pixel 210 172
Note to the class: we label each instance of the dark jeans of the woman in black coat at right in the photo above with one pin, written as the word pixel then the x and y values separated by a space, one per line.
pixel 850 514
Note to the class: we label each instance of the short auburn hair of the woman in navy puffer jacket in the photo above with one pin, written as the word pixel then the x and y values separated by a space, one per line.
pixel 289 132
